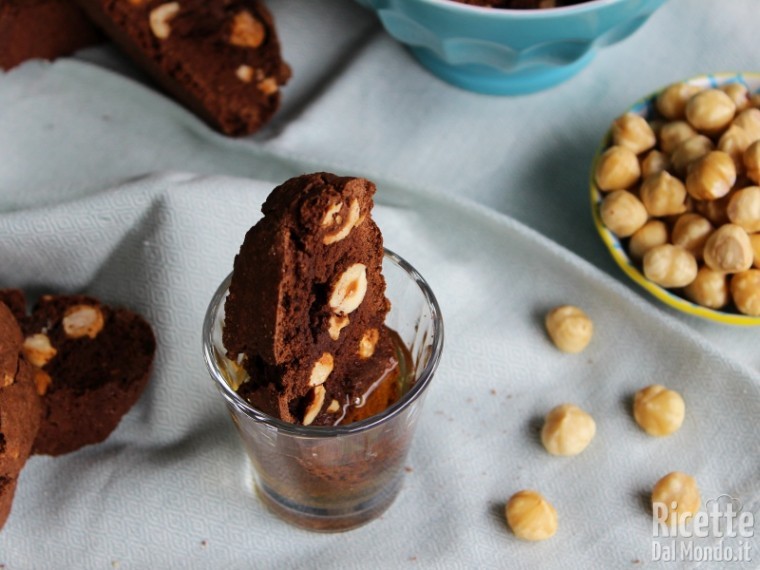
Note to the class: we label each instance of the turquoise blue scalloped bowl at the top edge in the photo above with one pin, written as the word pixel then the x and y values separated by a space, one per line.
pixel 508 52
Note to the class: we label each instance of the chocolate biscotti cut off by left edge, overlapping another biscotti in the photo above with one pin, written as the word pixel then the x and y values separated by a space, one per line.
pixel 20 409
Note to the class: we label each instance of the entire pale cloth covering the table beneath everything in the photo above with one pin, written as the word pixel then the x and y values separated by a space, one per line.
pixel 109 188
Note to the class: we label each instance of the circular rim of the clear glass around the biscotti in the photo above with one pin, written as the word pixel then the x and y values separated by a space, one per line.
pixel 423 379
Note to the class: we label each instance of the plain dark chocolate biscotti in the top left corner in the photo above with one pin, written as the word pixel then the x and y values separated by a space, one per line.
pixel 44 29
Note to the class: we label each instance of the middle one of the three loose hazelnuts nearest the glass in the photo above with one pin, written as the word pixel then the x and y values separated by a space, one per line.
pixel 568 430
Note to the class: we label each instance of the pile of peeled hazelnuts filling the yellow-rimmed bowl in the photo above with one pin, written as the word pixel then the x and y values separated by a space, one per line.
pixel 683 190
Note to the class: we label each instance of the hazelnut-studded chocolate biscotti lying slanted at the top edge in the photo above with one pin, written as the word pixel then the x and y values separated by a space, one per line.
pixel 221 59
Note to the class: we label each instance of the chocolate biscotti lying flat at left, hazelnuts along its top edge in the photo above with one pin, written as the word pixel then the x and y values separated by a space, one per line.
pixel 95 362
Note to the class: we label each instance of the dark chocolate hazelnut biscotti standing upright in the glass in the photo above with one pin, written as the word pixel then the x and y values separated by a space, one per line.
pixel 306 307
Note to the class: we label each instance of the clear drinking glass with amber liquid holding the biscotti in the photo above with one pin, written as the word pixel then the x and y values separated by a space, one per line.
pixel 340 477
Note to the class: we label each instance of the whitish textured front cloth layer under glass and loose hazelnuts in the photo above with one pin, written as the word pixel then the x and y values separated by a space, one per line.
pixel 172 488
